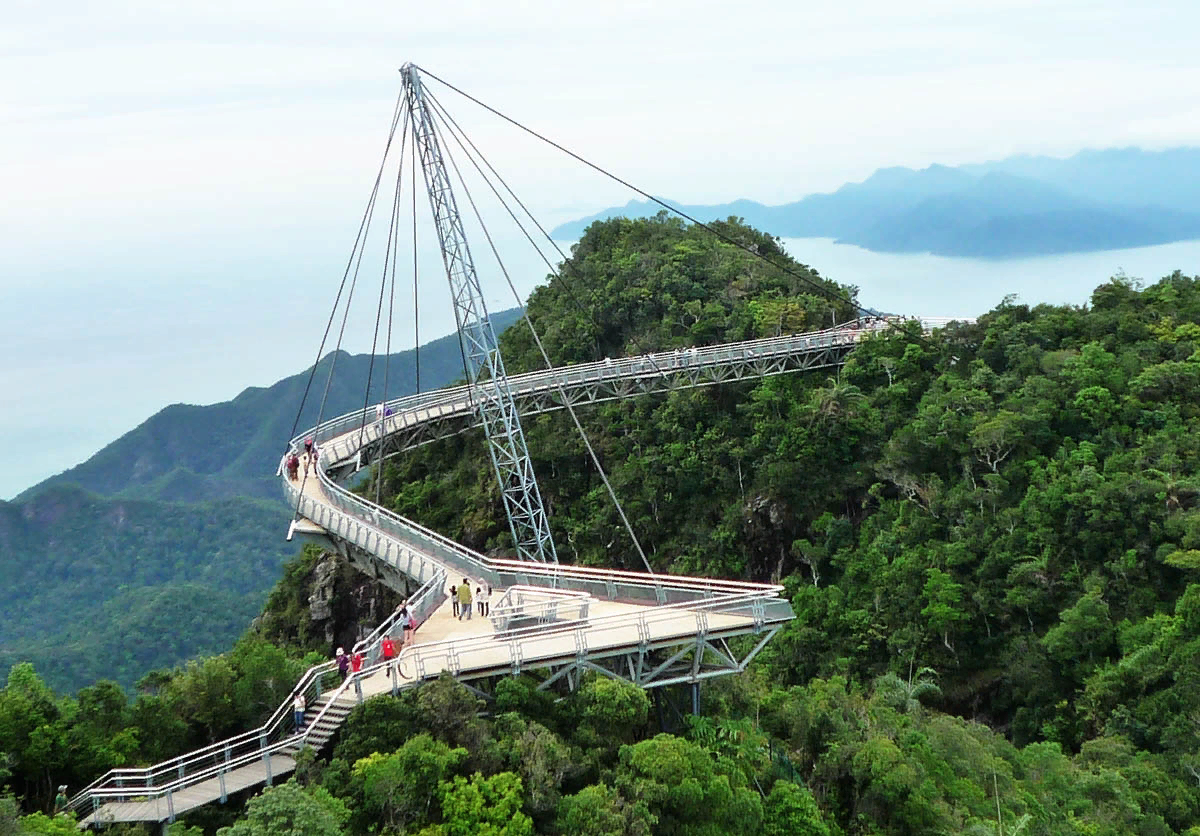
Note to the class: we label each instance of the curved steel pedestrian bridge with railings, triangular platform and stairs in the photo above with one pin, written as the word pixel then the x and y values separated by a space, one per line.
pixel 562 622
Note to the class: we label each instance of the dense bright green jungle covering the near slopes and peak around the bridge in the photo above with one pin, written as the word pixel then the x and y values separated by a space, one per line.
pixel 988 537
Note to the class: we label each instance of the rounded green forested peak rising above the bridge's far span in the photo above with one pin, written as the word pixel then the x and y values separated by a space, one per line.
pixel 652 285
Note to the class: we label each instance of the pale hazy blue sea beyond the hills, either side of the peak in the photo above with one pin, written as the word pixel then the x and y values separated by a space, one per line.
pixel 89 357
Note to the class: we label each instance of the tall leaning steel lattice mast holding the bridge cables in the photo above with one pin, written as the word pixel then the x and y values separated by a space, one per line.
pixel 482 354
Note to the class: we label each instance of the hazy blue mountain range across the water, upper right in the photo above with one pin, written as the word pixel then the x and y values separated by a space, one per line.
pixel 1018 207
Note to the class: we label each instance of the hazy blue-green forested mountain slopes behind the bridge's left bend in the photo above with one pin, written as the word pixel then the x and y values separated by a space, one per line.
pixel 165 544
